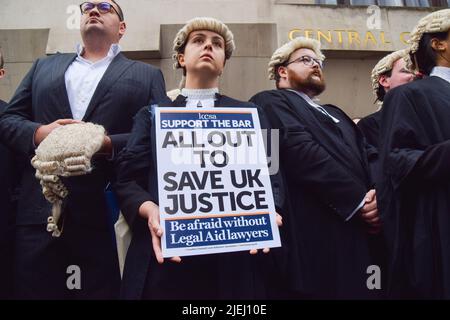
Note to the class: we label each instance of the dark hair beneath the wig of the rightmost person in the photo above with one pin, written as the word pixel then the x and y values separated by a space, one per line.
pixel 426 57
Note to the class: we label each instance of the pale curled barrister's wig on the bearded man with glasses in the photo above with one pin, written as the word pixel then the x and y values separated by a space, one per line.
pixel 282 54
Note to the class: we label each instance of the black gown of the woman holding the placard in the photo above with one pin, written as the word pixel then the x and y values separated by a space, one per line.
pixel 218 276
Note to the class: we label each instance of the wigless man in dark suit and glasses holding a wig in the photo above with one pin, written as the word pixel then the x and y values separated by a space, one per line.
pixel 96 84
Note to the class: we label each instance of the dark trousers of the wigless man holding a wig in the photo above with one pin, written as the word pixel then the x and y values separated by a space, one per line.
pixel 47 267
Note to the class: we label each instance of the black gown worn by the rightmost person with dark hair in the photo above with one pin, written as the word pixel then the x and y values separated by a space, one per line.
pixel 414 194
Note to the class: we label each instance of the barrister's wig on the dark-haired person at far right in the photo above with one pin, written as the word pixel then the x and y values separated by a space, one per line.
pixel 435 22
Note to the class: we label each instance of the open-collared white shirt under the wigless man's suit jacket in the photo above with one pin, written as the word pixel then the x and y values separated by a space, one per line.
pixel 82 78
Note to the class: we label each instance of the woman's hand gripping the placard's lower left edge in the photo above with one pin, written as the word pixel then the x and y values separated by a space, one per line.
pixel 150 211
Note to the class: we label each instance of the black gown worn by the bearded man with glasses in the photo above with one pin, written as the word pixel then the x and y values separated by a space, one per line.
pixel 327 175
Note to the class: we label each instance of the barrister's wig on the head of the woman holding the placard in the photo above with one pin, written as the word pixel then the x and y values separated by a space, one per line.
pixel 202 23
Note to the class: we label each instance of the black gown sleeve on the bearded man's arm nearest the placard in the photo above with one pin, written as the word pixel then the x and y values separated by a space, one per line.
pixel 307 162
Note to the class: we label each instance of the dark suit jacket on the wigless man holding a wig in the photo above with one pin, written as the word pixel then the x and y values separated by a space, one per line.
pixel 42 98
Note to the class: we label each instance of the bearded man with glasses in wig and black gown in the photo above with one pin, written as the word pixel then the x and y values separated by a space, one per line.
pixel 326 169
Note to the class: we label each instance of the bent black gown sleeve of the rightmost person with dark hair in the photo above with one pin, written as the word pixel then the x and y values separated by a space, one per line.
pixel 406 152
